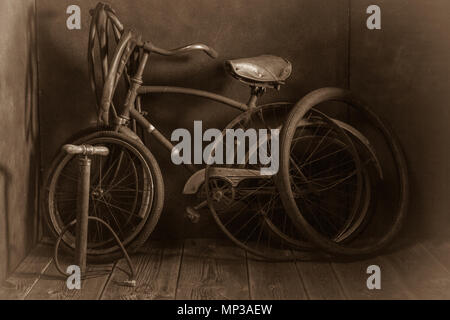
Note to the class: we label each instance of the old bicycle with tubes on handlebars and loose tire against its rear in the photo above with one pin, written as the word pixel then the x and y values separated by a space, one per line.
pixel 322 197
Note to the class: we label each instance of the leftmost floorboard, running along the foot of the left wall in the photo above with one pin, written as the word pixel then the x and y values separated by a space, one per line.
pixel 20 283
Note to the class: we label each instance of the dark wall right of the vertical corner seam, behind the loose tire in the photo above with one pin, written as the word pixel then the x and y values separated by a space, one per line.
pixel 403 70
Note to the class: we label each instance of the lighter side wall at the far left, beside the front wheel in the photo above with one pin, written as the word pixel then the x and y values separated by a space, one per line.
pixel 19 160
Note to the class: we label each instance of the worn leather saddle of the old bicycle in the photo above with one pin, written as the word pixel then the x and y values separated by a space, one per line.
pixel 262 71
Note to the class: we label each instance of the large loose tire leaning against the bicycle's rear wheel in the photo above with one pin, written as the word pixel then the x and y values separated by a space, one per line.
pixel 302 107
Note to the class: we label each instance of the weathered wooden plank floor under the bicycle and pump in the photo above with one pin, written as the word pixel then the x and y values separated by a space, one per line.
pixel 216 269
